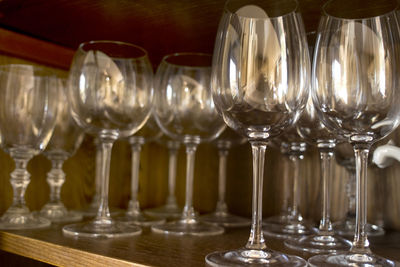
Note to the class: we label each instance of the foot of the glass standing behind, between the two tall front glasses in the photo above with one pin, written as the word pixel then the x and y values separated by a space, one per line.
pixel 319 244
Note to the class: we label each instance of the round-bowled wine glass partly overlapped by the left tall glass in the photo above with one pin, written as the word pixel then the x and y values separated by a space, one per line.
pixel 184 110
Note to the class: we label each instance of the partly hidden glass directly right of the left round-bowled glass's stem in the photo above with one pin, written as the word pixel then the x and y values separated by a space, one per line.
pixel 150 132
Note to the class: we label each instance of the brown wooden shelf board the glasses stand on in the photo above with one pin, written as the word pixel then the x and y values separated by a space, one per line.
pixel 148 249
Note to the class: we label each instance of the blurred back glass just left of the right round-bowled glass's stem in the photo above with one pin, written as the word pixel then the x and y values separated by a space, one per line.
pixel 170 210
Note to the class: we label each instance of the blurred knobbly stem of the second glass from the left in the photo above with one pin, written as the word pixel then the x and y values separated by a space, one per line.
pixel 55 179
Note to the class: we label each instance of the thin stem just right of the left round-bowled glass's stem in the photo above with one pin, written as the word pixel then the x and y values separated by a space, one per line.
pixel 136 147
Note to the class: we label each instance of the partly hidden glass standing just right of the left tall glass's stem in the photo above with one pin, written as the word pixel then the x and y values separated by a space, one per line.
pixel 293 225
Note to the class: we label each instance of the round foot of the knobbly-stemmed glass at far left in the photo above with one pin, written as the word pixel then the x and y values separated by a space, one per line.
pixel 21 221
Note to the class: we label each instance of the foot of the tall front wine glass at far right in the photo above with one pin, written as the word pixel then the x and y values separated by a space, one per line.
pixel 351 259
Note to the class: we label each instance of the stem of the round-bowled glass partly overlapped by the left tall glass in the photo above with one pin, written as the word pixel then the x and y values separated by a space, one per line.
pixel 188 211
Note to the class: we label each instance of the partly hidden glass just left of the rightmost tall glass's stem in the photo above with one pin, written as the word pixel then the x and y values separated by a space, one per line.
pixel 324 241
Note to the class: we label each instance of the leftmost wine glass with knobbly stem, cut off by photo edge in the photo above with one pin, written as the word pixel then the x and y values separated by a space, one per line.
pixel 28 110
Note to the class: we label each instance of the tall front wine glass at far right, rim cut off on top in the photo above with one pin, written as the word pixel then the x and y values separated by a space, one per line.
pixel 356 95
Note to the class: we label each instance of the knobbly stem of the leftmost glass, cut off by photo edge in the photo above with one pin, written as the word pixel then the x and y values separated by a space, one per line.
pixel 20 179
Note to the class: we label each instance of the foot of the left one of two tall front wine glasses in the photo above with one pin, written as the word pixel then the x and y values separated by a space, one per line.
pixel 253 257
